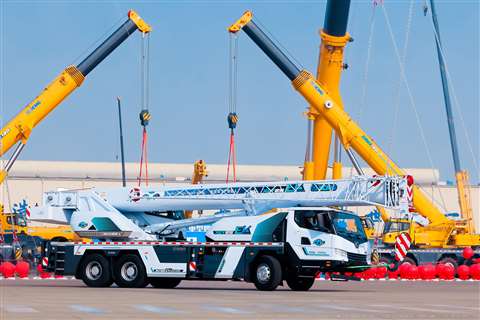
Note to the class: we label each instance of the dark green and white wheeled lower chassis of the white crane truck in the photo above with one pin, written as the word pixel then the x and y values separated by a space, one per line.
pixel 164 264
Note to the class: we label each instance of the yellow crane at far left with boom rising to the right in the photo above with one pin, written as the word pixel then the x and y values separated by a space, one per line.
pixel 18 130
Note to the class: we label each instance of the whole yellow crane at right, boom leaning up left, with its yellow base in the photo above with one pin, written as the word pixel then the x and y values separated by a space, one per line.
pixel 441 232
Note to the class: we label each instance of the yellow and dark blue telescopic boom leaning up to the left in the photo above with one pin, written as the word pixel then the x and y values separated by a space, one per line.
pixel 348 131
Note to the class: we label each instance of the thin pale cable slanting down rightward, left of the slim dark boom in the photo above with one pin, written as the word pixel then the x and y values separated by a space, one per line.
pixel 410 96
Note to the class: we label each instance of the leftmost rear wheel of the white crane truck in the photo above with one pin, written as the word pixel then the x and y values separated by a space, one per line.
pixel 95 271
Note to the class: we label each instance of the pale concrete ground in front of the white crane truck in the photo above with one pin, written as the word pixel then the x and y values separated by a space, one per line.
pixel 70 299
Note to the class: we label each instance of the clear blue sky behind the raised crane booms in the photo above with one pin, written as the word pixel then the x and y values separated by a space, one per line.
pixel 189 72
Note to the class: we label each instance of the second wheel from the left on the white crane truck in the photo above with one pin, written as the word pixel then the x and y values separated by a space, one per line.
pixel 129 272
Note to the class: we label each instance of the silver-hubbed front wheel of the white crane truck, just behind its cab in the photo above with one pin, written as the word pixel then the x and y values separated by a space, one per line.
pixel 267 273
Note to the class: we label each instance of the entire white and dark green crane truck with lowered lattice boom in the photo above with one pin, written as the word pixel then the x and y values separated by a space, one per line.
pixel 300 238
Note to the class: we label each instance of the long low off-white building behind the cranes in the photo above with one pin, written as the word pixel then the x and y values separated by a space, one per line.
pixel 29 179
